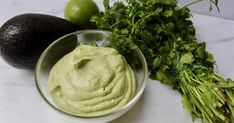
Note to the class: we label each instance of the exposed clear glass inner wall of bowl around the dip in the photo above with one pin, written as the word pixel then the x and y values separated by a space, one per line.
pixel 69 42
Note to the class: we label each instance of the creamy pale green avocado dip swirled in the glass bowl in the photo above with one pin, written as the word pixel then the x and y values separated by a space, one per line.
pixel 91 81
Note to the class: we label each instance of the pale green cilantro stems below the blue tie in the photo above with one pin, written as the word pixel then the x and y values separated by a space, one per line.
pixel 198 95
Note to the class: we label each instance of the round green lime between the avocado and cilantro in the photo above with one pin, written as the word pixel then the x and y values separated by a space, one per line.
pixel 79 12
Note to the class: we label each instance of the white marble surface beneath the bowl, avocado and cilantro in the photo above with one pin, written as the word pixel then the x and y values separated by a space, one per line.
pixel 21 103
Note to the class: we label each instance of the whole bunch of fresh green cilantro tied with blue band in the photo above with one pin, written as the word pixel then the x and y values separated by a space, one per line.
pixel 166 36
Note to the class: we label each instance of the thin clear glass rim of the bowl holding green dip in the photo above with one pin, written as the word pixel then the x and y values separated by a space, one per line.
pixel 37 80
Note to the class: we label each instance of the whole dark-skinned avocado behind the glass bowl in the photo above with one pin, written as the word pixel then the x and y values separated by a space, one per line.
pixel 24 37
